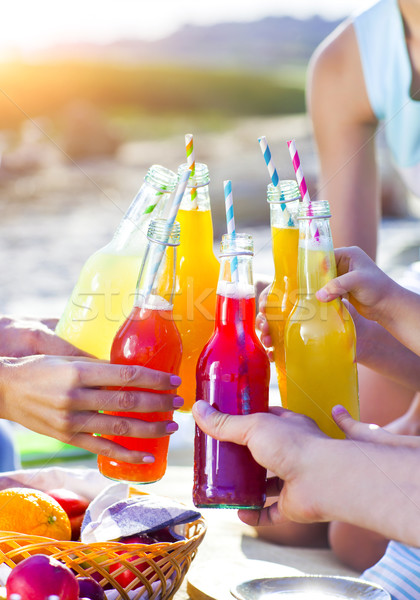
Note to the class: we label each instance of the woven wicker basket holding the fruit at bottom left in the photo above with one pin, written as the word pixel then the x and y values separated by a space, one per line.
pixel 161 566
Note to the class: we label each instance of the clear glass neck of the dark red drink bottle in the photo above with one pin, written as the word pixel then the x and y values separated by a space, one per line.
pixel 235 308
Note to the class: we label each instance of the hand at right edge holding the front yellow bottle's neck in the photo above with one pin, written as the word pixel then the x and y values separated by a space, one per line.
pixel 375 295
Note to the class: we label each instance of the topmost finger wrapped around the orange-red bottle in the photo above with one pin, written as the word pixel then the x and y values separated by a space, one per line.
pixel 95 373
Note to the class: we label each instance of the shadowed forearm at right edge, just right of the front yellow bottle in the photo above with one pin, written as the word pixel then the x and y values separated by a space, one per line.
pixel 386 355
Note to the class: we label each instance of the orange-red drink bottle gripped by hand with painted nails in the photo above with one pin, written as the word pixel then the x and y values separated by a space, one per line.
pixel 150 338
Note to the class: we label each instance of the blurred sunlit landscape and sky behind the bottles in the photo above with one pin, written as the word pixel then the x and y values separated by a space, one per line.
pixel 92 93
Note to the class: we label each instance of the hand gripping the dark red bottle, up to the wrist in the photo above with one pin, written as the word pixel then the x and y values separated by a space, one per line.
pixel 282 442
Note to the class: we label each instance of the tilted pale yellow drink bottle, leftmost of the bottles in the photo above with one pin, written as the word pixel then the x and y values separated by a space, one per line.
pixel 104 294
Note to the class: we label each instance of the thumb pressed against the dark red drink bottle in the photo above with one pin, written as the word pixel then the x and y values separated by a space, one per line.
pixel 218 425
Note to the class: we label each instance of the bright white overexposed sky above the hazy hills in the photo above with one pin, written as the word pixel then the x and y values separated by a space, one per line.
pixel 27 25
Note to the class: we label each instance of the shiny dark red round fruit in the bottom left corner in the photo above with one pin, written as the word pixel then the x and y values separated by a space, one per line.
pixel 40 576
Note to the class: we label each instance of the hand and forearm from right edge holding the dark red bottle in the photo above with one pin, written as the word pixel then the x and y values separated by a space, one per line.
pixel 372 485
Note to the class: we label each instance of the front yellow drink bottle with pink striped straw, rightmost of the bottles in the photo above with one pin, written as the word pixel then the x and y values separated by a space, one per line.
pixel 320 338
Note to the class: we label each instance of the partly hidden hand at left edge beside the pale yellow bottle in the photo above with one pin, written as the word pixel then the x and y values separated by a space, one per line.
pixel 26 337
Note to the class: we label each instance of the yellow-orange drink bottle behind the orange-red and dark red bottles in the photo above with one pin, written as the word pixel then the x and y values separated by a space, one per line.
pixel 197 274
